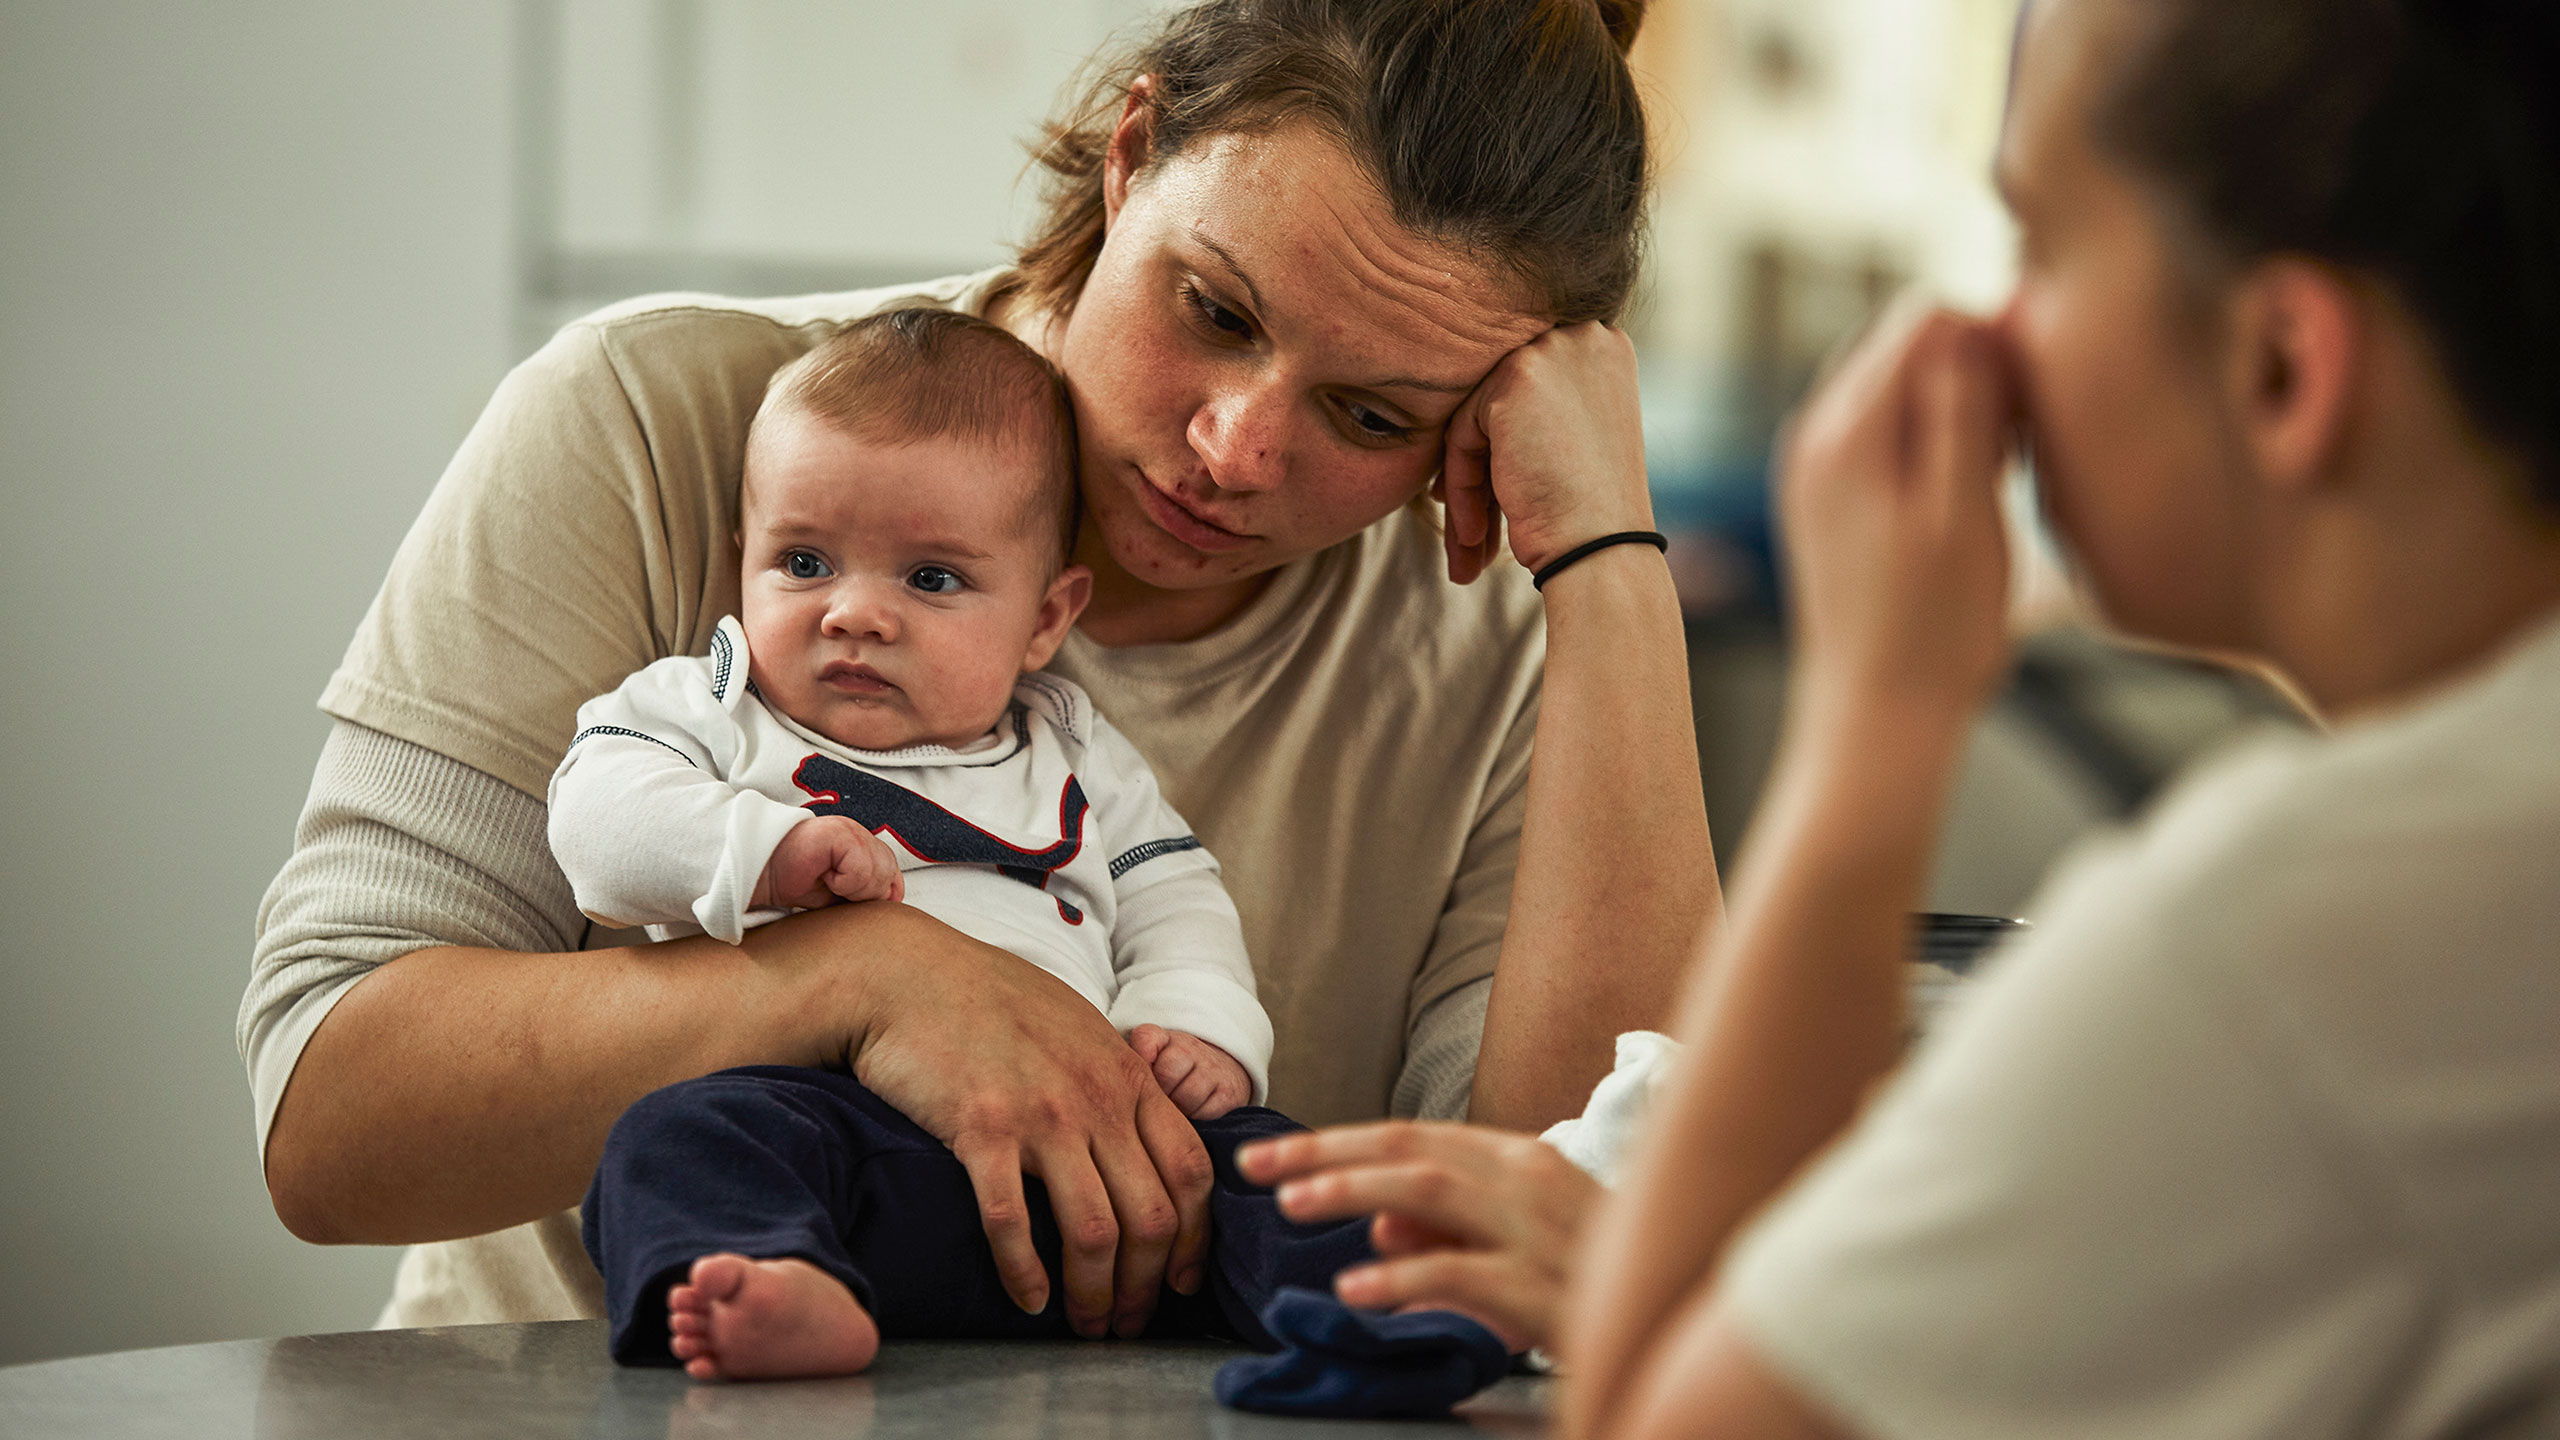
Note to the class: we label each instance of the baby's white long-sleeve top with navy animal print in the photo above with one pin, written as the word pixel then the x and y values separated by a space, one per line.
pixel 1048 839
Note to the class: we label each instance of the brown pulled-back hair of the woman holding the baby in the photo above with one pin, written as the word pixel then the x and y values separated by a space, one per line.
pixel 1509 129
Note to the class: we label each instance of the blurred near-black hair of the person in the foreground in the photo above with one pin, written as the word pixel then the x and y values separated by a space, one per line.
pixel 2408 140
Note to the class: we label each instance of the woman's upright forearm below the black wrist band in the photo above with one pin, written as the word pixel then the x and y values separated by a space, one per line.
pixel 1617 878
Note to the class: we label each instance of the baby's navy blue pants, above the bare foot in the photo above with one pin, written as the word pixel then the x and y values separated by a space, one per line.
pixel 790 1162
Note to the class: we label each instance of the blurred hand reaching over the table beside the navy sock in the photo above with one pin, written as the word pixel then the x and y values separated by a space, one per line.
pixel 1468 1218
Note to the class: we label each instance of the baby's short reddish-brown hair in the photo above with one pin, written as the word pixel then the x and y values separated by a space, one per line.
pixel 923 375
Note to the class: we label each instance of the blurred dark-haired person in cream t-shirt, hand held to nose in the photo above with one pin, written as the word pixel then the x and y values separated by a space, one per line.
pixel 2259 1131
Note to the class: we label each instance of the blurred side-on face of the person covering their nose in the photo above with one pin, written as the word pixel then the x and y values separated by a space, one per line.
pixel 2121 365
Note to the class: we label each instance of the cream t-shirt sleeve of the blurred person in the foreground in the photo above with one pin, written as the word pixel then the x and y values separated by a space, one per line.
pixel 2098 1206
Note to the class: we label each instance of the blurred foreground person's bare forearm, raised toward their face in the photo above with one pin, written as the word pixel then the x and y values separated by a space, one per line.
pixel 1788 1034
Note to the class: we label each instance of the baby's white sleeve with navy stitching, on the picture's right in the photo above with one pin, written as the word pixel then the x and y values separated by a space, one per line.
pixel 1176 939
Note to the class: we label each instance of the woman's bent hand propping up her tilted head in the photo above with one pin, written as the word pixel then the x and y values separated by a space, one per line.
pixel 1553 445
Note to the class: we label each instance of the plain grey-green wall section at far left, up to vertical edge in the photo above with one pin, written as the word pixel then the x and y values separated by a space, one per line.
pixel 255 283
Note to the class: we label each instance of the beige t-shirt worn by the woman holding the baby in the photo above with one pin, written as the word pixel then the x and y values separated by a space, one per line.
pixel 1353 747
